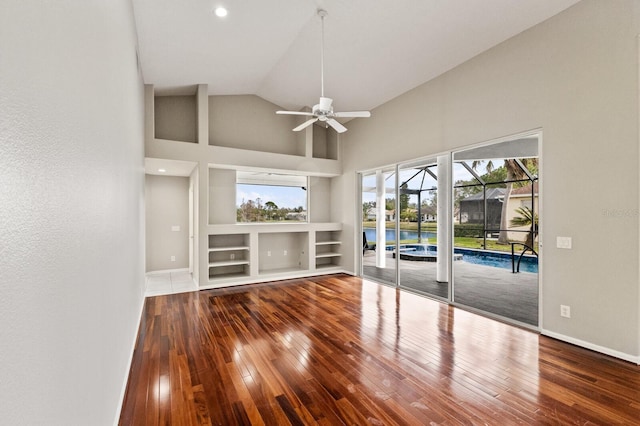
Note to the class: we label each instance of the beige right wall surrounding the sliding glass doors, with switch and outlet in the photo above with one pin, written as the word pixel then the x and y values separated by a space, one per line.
pixel 574 76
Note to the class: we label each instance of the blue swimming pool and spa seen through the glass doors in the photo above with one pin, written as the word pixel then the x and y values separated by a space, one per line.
pixel 496 259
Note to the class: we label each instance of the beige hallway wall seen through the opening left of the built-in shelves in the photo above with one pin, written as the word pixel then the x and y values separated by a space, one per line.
pixel 166 206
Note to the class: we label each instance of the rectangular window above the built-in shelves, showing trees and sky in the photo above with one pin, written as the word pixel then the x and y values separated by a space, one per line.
pixel 270 197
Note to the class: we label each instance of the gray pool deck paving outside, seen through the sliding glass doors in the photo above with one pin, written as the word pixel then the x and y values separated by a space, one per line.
pixel 491 289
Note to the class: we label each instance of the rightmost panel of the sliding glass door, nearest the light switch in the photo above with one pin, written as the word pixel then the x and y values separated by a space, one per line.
pixel 495 241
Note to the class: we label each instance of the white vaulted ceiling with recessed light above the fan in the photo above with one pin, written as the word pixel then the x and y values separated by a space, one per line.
pixel 375 50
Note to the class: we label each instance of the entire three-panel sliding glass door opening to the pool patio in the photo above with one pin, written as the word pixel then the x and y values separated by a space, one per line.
pixel 461 227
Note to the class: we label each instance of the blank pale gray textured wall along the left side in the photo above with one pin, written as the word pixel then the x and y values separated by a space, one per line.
pixel 72 215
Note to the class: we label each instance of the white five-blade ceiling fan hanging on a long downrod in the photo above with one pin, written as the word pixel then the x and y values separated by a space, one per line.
pixel 323 111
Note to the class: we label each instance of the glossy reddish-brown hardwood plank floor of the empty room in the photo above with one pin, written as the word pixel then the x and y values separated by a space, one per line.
pixel 338 350
